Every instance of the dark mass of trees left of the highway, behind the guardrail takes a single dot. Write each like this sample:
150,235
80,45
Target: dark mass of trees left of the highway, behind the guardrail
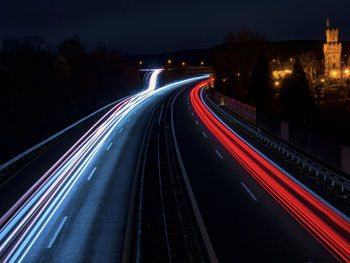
44,90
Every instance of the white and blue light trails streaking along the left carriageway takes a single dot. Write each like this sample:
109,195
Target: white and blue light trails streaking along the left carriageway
23,223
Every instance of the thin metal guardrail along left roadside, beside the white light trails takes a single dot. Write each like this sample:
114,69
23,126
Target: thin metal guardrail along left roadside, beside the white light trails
22,155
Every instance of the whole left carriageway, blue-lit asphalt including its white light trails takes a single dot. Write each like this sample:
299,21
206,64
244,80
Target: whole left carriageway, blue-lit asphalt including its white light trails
77,210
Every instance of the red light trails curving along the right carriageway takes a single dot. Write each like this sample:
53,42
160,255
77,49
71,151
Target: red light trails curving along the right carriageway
329,226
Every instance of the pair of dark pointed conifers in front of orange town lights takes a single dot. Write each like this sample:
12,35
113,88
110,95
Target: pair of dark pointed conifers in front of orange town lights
293,101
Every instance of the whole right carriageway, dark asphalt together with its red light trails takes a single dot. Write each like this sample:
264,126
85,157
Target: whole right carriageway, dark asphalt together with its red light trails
246,220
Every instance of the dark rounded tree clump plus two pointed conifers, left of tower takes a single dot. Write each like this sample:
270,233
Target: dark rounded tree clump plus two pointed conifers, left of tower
243,71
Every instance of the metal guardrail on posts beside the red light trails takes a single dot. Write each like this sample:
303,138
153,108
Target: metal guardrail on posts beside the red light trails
312,166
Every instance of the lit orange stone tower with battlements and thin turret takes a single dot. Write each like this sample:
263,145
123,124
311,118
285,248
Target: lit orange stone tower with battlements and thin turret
332,53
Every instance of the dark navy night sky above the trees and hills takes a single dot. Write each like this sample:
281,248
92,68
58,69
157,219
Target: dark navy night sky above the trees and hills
137,26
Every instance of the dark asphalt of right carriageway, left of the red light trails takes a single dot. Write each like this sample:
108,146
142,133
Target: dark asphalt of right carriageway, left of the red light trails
244,222
